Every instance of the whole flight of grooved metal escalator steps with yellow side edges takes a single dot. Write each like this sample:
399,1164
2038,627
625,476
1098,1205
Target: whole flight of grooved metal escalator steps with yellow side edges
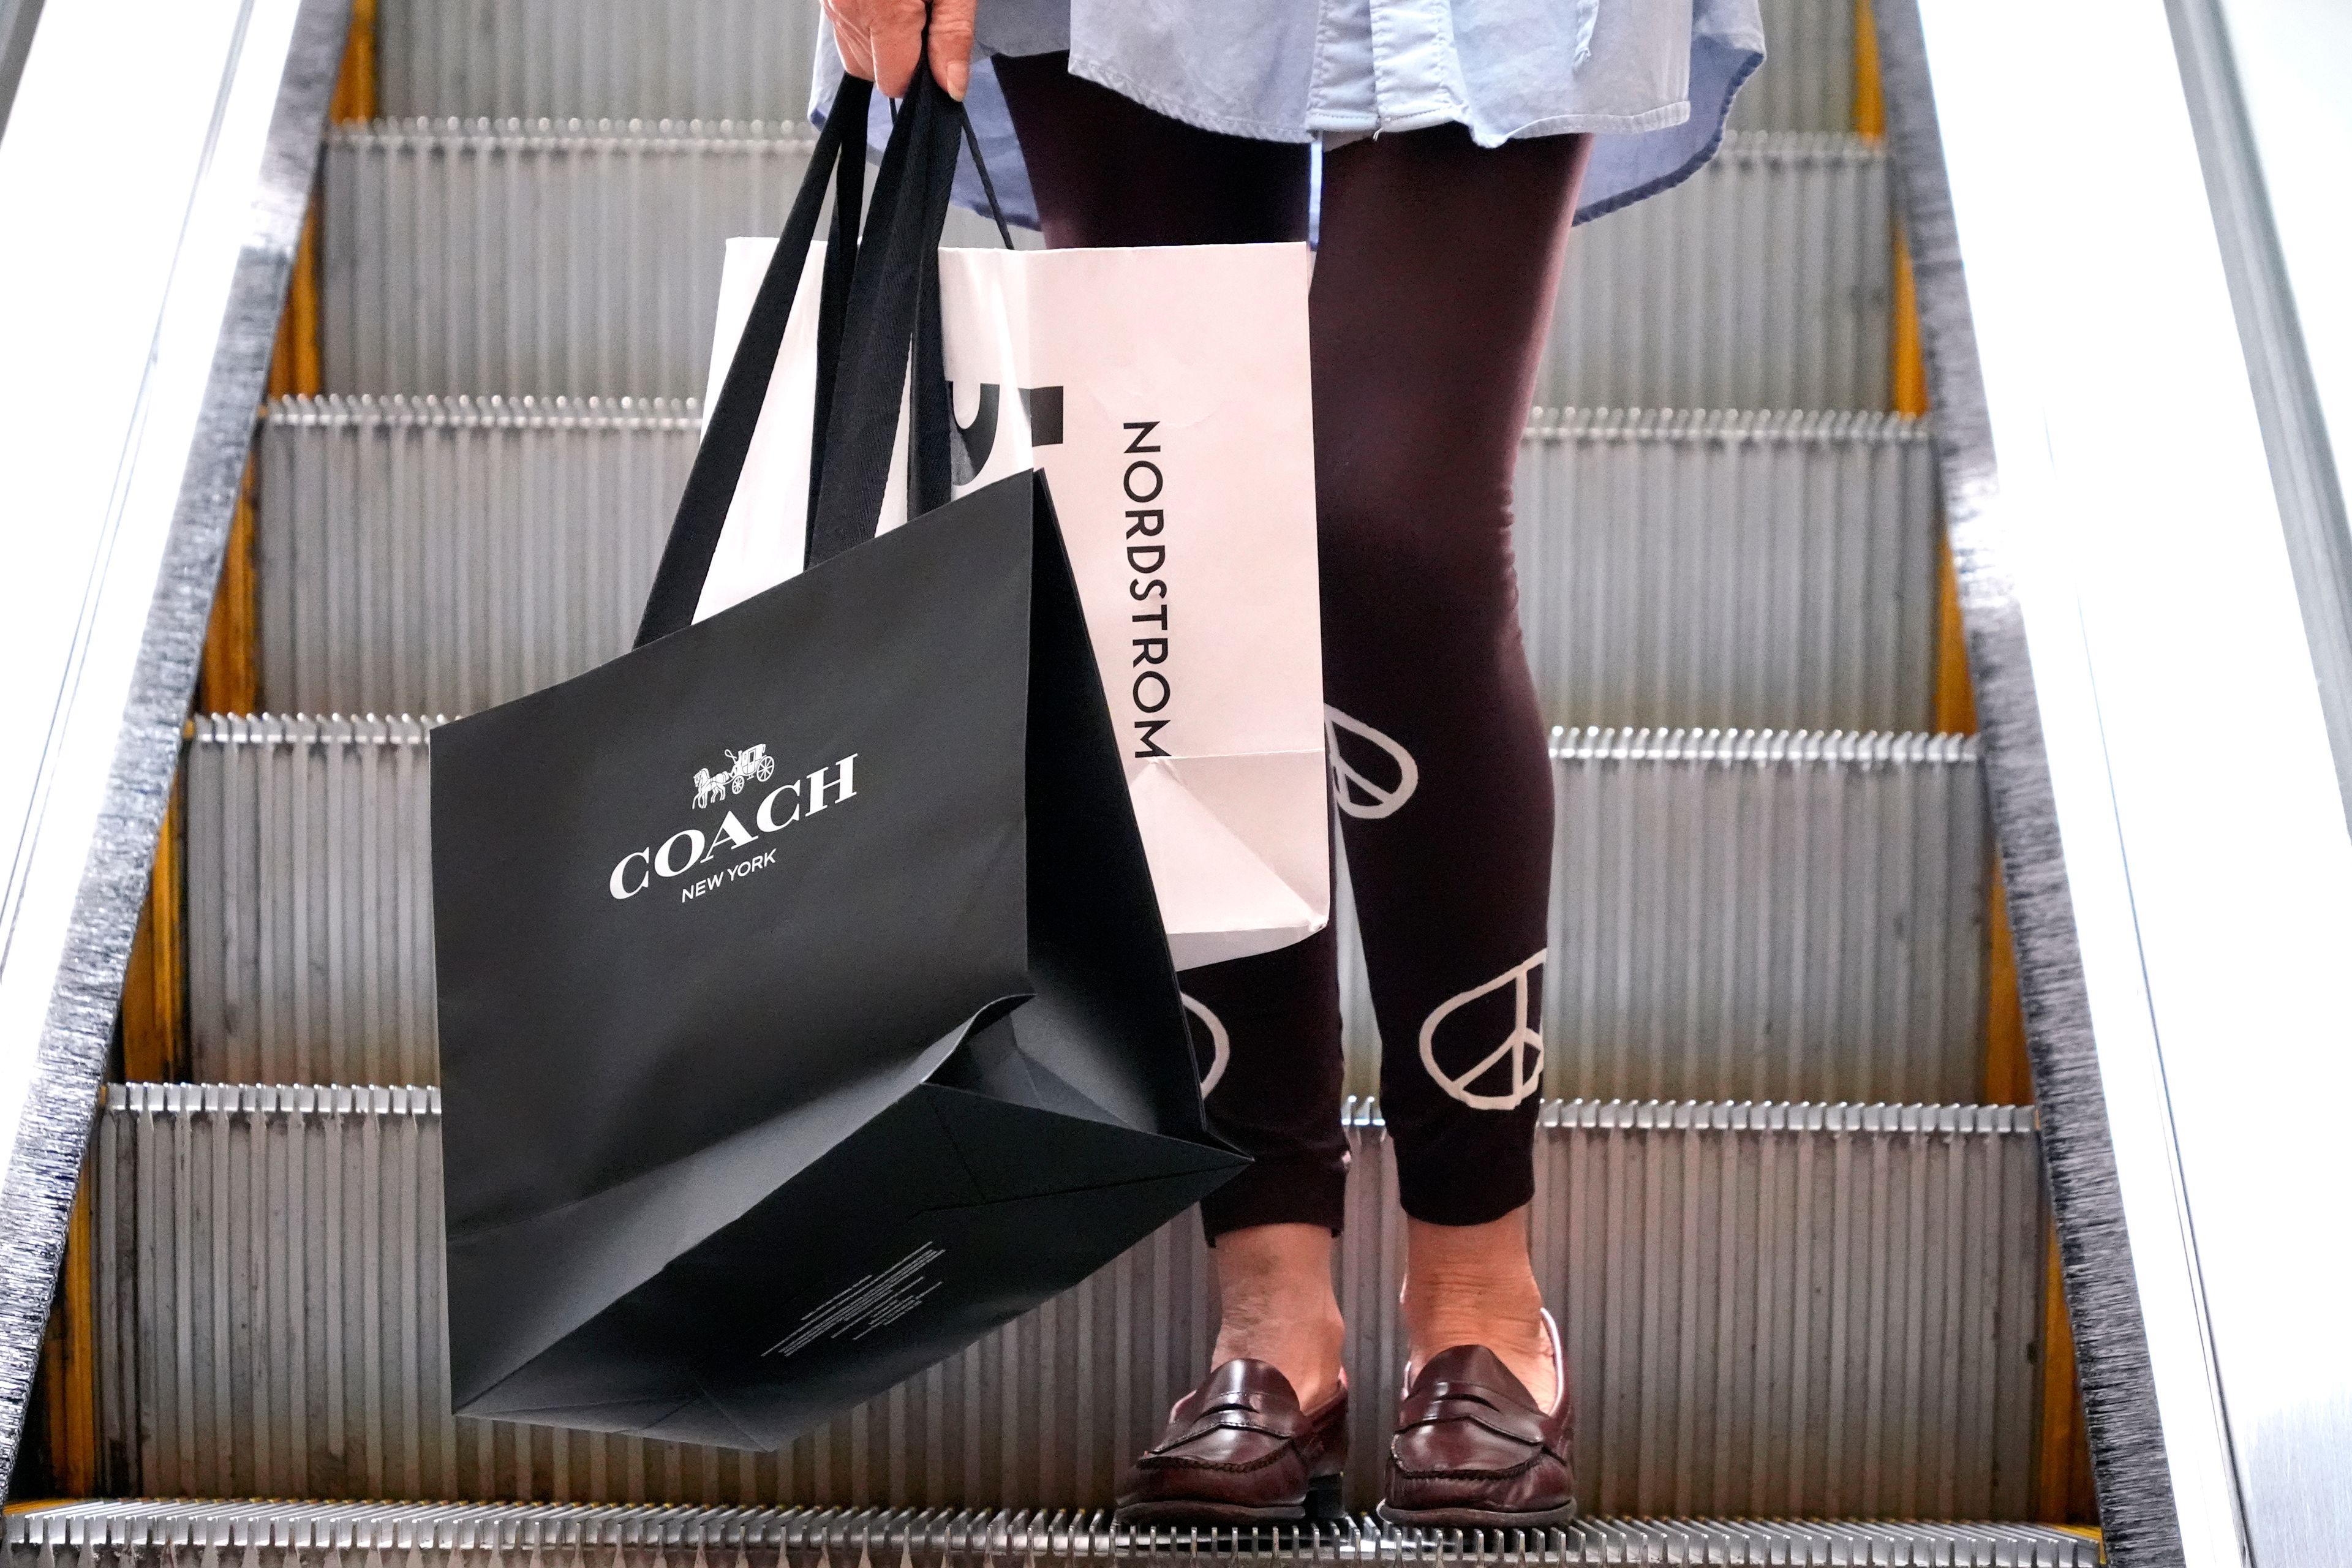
1803,1266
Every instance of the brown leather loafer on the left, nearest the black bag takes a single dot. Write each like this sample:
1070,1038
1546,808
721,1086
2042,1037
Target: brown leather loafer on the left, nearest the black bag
1241,1452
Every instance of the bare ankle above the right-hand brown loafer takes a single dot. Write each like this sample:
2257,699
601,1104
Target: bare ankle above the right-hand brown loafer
1474,1285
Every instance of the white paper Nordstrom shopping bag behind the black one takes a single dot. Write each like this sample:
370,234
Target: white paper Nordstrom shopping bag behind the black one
1165,396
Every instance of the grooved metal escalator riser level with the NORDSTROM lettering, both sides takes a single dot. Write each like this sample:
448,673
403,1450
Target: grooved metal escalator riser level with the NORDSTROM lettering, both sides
1749,570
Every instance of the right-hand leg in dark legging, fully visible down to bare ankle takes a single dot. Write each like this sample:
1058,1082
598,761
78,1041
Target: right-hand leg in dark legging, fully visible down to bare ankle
1431,302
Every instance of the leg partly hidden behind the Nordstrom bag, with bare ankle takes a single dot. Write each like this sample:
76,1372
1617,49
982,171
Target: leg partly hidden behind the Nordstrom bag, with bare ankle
1114,173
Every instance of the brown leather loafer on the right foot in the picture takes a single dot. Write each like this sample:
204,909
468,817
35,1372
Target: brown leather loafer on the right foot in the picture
1474,1449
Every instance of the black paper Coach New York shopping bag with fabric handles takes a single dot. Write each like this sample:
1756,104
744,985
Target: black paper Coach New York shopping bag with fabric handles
803,996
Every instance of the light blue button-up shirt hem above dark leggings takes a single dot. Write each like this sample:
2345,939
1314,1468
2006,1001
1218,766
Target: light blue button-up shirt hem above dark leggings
1652,79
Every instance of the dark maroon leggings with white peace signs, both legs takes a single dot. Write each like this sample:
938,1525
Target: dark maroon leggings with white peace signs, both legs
1434,286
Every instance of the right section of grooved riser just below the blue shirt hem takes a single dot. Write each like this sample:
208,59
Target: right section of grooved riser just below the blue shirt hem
1760,283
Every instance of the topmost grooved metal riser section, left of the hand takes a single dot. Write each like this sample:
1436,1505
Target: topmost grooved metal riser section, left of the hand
627,60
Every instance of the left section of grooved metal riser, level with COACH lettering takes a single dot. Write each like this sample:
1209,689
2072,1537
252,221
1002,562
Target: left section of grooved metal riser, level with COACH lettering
309,902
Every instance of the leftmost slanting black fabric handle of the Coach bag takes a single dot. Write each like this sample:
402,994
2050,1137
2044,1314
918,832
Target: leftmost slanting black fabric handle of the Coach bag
719,464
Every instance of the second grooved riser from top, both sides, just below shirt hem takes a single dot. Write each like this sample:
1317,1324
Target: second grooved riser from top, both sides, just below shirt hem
584,257
